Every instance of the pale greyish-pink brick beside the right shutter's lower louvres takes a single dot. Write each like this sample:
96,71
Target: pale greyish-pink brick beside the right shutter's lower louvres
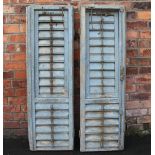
136,112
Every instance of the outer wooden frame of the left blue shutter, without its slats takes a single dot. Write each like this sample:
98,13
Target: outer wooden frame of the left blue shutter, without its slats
32,99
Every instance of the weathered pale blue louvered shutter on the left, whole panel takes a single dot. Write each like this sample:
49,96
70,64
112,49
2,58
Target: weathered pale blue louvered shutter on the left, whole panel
50,78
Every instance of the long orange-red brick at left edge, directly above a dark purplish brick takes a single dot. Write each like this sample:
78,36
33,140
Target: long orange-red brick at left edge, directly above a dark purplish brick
14,66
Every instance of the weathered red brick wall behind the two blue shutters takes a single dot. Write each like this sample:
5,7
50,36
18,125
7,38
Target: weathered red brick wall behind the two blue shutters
137,61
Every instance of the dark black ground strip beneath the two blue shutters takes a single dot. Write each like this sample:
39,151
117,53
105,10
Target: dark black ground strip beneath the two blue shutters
133,146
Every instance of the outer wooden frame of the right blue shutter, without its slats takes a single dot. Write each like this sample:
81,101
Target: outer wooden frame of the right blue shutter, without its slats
83,65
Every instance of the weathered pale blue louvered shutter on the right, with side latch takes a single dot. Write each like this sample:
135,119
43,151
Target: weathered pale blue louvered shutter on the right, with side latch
102,78
